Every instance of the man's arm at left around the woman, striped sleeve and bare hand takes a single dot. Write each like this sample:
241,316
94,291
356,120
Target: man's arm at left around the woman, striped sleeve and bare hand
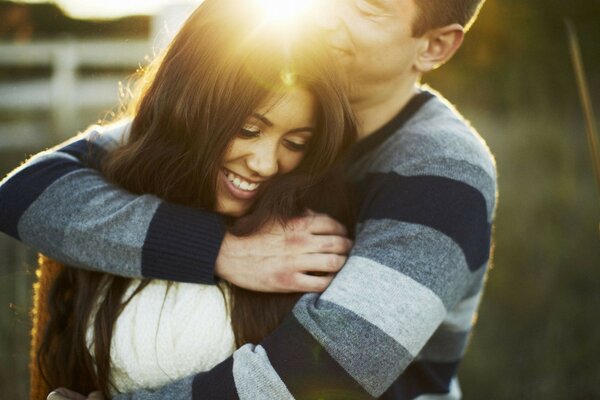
58,203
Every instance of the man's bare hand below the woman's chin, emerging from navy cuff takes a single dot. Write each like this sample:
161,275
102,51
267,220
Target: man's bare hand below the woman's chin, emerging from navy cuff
303,256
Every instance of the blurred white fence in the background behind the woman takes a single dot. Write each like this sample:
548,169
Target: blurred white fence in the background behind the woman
65,92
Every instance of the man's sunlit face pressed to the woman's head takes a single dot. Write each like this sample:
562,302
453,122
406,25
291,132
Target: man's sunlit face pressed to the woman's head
372,38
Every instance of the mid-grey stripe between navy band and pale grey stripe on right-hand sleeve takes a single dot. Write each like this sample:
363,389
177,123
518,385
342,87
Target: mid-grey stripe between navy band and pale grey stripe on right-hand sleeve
423,254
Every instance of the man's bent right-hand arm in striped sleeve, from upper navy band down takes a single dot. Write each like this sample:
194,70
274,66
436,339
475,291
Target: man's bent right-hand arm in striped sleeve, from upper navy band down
422,247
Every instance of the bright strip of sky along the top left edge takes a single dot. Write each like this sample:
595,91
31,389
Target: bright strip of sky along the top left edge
111,8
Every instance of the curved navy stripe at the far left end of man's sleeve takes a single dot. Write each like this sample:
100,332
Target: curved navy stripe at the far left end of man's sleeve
20,191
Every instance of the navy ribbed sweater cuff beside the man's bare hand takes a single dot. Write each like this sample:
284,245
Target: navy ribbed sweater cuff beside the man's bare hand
182,245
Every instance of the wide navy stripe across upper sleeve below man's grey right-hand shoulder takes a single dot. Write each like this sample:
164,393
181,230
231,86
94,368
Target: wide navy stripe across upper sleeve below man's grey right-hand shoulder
452,207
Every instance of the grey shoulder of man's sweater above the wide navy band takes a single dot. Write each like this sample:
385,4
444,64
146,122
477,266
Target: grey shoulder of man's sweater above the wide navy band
437,144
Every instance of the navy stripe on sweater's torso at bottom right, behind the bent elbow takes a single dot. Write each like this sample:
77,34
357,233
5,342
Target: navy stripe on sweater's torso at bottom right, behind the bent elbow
421,378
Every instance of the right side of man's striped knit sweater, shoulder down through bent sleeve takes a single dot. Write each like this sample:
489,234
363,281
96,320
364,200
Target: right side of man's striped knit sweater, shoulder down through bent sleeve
395,322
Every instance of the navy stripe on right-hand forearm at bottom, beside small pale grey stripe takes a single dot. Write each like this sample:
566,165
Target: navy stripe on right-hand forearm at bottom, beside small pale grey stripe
306,368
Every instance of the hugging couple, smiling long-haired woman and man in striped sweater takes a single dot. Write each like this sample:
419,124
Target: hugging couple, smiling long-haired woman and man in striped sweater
280,216
